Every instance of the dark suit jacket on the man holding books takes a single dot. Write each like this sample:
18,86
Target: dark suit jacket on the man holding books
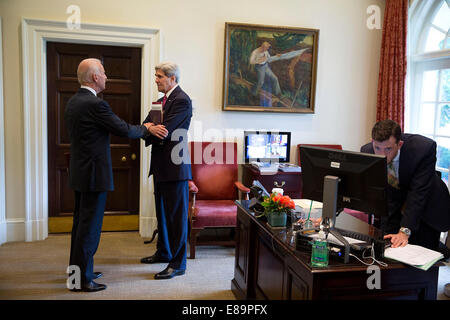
176,119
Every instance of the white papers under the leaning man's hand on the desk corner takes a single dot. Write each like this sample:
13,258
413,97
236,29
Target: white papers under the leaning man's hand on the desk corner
414,255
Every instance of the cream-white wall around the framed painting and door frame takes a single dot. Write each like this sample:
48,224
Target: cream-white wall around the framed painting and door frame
193,36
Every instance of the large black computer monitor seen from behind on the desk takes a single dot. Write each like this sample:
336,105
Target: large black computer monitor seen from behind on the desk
361,178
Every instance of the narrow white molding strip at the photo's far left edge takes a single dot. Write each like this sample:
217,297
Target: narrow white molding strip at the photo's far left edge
3,231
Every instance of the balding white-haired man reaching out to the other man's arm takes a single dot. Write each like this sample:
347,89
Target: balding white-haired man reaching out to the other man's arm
89,121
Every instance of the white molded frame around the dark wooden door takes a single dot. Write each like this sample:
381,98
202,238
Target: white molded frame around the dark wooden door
35,34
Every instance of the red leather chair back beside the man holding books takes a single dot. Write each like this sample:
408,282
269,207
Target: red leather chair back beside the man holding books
214,169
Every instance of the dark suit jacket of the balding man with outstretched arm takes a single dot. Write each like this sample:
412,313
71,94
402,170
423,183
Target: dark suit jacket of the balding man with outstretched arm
89,121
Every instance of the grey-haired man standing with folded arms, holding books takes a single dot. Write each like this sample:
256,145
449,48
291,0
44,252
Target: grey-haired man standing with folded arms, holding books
171,170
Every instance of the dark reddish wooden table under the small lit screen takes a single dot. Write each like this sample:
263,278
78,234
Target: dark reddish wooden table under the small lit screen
291,182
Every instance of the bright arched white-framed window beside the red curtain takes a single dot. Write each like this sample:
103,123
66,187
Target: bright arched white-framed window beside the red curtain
428,107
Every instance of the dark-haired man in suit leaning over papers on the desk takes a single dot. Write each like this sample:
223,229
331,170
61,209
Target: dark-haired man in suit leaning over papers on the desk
418,200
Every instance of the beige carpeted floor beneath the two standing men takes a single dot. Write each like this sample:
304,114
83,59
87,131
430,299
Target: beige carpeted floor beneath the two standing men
36,271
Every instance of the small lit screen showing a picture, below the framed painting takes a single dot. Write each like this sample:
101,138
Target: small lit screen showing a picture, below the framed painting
267,146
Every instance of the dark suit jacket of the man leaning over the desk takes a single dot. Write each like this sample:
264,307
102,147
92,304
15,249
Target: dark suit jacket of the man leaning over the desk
422,196
